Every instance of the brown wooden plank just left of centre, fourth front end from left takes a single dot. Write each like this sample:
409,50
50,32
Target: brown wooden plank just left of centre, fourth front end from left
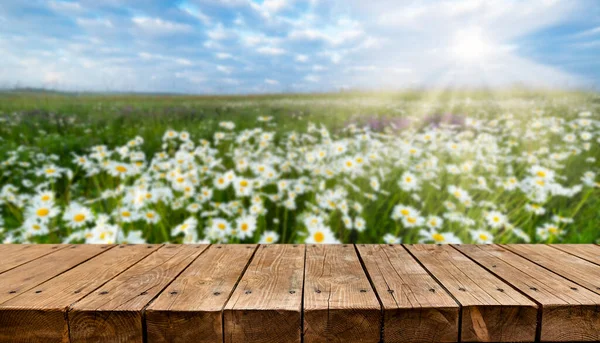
266,306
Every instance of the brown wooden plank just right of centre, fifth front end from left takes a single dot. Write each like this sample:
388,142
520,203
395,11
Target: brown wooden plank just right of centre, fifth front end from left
339,302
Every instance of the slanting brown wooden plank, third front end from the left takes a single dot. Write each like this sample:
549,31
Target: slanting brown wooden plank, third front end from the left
194,313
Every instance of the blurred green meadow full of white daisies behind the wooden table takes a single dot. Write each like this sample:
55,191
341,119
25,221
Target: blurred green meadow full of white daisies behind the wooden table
300,169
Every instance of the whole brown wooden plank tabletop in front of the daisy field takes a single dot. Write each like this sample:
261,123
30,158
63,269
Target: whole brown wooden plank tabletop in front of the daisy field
293,293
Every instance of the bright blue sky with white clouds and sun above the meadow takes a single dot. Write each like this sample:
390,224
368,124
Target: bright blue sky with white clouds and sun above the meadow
255,46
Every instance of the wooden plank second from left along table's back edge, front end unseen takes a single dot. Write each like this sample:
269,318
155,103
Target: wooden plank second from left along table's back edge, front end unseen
23,278
